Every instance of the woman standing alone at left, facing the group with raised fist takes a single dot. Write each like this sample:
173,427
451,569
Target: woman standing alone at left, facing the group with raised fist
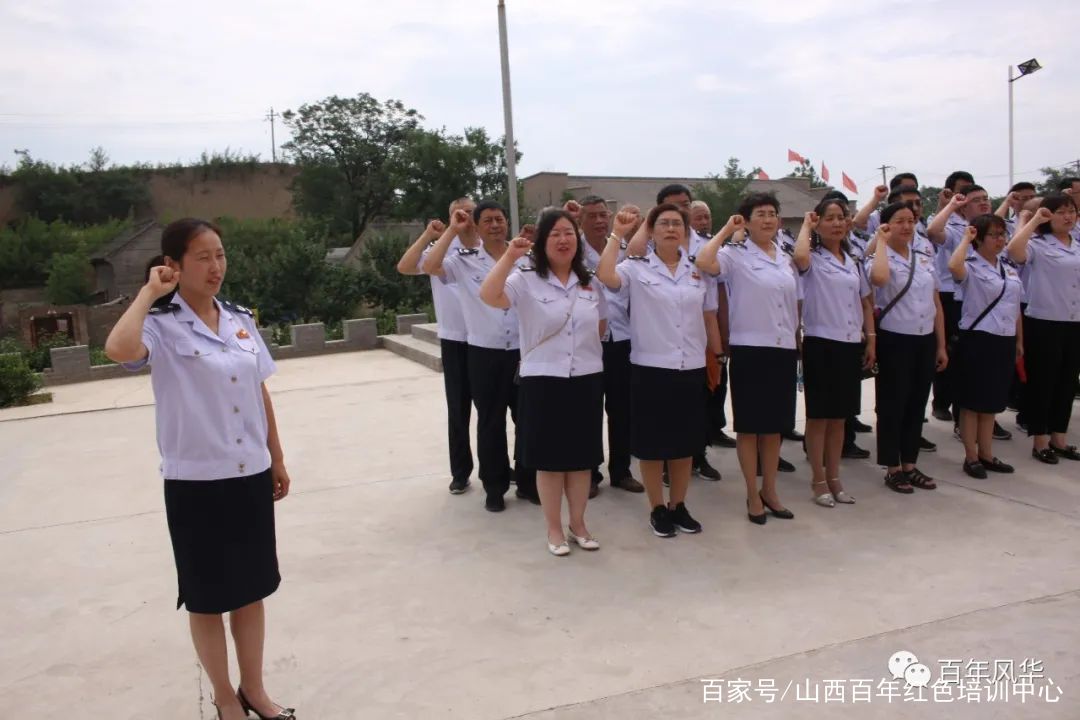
222,459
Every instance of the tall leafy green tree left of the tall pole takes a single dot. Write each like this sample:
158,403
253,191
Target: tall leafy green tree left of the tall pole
357,144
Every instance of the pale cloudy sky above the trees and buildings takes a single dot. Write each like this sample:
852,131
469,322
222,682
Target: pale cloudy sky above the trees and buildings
665,88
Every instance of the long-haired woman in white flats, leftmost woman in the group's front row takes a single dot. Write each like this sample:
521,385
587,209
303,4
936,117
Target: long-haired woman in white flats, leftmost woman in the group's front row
561,409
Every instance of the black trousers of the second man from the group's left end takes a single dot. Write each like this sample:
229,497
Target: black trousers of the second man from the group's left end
492,381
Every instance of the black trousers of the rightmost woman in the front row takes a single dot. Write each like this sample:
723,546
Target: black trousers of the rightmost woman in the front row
1052,360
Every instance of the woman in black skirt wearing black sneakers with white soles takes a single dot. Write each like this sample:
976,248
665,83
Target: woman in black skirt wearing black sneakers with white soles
668,307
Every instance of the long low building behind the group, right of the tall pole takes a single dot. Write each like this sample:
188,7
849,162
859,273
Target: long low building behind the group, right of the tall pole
543,189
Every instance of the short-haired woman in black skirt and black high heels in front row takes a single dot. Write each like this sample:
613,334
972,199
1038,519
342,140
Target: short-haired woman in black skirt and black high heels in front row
763,307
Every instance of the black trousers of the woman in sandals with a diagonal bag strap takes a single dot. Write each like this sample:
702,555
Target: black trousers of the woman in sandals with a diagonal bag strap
906,373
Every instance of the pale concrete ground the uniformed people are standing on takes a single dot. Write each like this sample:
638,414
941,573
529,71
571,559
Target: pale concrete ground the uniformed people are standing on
400,601
